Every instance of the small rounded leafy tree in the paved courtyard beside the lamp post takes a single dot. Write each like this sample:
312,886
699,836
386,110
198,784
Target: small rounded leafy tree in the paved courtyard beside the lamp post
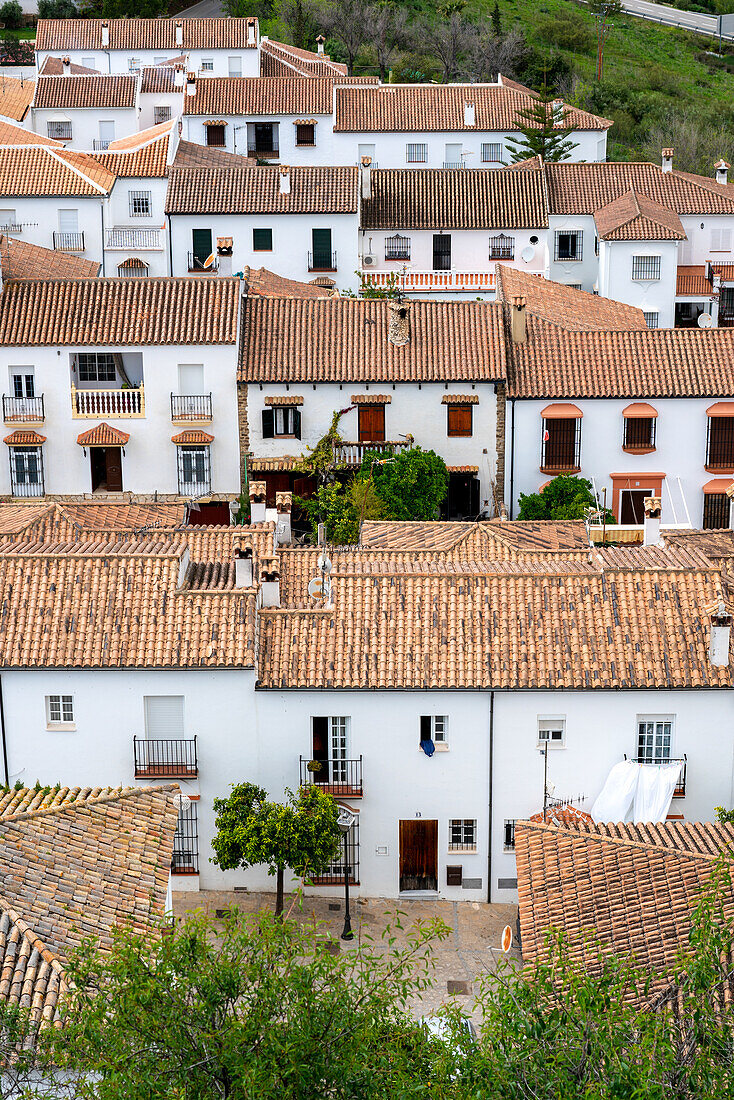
302,834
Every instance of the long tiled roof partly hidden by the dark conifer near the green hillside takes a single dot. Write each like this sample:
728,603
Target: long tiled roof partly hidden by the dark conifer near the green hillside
421,107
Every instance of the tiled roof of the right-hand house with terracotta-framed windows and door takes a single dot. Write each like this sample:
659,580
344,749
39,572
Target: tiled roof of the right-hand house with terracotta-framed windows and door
656,364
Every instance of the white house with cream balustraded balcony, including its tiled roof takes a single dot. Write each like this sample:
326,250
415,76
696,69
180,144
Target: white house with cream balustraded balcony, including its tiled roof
120,386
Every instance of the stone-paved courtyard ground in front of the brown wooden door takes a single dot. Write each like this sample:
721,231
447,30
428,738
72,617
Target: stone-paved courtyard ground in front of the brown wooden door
472,949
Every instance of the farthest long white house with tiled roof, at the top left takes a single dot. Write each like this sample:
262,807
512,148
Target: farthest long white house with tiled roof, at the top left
215,47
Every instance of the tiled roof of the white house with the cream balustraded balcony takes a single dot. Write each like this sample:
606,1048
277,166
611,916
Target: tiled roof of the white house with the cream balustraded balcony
120,312
